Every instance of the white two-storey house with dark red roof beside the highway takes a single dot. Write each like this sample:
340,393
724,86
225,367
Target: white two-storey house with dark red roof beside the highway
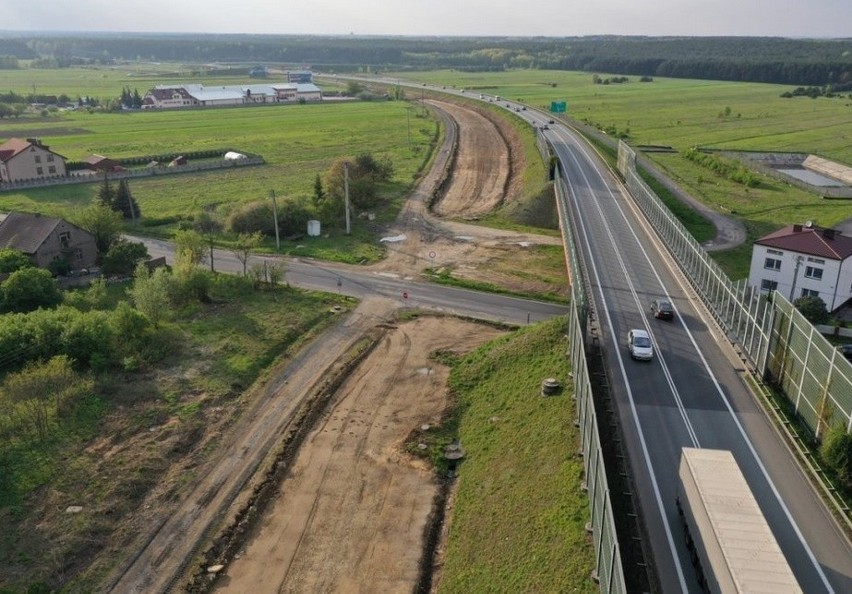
801,260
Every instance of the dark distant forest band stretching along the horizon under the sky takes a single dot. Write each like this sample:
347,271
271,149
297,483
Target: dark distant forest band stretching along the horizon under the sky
821,62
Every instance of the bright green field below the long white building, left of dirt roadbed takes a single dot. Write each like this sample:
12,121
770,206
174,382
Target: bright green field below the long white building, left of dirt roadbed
297,141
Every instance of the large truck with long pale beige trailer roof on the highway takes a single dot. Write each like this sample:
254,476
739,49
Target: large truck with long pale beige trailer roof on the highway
730,542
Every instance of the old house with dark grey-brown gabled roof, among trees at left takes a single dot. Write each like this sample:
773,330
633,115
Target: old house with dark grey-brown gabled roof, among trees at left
48,239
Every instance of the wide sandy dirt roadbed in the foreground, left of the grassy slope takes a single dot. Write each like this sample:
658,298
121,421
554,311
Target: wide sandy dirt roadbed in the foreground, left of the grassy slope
351,515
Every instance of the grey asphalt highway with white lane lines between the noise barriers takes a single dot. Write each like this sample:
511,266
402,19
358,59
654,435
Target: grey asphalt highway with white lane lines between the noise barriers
691,394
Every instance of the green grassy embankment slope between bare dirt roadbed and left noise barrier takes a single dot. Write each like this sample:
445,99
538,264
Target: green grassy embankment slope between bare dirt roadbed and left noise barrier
518,517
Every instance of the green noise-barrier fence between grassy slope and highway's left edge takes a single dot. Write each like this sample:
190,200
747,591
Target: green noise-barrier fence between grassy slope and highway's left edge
608,569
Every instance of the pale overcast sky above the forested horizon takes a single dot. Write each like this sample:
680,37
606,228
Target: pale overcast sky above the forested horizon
785,18
